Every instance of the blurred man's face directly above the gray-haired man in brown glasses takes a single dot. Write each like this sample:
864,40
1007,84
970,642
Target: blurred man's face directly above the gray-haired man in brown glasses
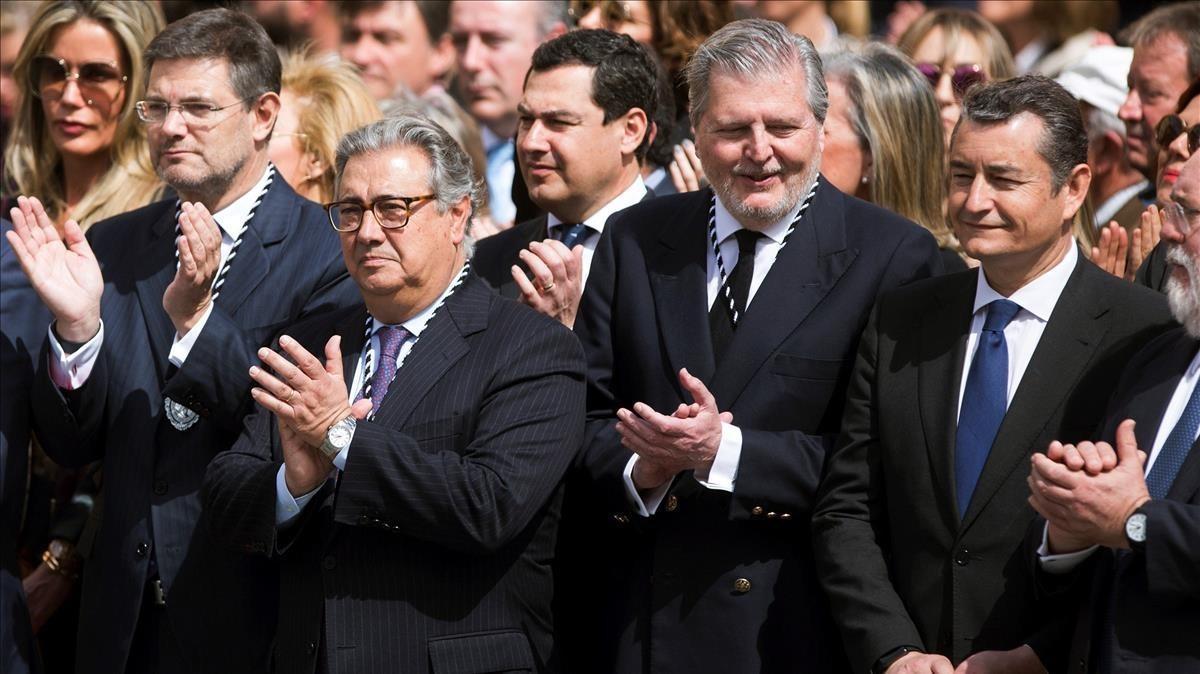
391,45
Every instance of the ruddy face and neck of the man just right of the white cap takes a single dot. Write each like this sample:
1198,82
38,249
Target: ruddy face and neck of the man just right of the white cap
1159,75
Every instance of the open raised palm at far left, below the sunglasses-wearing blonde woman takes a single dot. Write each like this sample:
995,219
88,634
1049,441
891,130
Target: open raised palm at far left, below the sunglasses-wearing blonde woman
62,269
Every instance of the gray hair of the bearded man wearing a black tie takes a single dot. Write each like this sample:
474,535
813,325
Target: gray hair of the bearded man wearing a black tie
754,49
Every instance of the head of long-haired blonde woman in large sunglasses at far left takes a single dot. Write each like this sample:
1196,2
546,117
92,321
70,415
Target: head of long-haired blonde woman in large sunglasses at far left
76,142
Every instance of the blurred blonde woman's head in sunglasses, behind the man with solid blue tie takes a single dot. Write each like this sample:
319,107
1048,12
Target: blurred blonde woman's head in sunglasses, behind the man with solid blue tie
956,50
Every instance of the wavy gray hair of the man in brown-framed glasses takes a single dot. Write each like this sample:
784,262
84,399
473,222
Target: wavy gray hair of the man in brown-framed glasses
452,173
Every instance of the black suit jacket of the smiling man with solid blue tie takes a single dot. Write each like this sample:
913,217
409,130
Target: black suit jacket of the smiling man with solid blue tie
899,565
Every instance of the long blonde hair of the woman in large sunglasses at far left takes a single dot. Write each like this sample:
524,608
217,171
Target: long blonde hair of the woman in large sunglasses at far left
33,163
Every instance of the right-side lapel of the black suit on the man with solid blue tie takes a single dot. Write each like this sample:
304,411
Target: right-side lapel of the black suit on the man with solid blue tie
1075,332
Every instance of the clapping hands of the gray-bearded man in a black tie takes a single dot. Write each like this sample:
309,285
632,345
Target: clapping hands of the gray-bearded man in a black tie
688,440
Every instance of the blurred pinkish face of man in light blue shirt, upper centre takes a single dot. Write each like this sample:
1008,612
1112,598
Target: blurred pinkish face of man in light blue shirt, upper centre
495,43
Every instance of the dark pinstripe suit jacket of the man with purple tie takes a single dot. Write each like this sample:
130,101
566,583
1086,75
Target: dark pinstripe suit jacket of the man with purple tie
433,551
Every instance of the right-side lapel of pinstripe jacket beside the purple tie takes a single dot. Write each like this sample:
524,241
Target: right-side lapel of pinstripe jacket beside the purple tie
440,347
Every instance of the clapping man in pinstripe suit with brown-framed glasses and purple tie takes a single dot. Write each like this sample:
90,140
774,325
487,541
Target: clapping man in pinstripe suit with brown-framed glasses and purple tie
407,477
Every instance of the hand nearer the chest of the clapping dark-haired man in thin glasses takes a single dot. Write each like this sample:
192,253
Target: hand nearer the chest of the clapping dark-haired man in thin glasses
200,258
